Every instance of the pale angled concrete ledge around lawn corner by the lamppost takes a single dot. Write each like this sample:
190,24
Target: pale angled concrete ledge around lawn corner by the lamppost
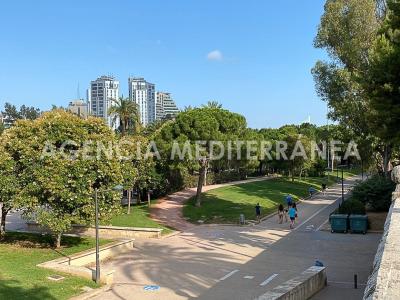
79,264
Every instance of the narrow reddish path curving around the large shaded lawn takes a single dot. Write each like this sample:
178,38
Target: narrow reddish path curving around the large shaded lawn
168,210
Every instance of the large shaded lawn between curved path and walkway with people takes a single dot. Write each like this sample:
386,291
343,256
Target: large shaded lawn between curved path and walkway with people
225,204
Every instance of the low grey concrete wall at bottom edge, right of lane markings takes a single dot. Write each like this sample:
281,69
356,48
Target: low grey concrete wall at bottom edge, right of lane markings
302,287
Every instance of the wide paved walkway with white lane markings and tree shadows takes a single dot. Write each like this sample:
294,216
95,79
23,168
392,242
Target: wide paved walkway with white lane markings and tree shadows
233,262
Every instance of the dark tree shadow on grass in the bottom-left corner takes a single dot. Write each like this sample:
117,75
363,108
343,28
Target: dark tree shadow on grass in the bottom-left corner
12,290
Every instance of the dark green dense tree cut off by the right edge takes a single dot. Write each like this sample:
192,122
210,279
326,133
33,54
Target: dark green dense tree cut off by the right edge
382,82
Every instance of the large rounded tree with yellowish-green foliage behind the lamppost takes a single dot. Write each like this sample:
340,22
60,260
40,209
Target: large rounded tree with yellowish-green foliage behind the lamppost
60,166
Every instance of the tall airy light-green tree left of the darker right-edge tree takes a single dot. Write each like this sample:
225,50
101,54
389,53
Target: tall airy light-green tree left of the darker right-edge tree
348,32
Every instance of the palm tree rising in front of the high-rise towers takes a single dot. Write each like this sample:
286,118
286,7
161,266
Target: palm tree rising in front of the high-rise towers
127,112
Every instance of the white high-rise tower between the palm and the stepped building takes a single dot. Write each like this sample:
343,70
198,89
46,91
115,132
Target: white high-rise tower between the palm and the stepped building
143,94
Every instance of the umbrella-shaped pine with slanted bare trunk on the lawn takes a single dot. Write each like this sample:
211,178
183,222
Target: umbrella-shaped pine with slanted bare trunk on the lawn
205,124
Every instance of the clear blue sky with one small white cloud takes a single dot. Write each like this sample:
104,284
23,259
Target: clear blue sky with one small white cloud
260,53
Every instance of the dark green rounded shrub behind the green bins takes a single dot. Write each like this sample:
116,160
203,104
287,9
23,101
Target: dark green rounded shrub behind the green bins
376,192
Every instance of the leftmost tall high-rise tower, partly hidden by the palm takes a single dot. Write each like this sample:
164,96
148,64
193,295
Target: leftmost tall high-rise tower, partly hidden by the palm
100,97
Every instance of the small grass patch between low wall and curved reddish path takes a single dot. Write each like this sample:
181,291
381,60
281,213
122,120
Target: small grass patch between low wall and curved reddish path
139,217
